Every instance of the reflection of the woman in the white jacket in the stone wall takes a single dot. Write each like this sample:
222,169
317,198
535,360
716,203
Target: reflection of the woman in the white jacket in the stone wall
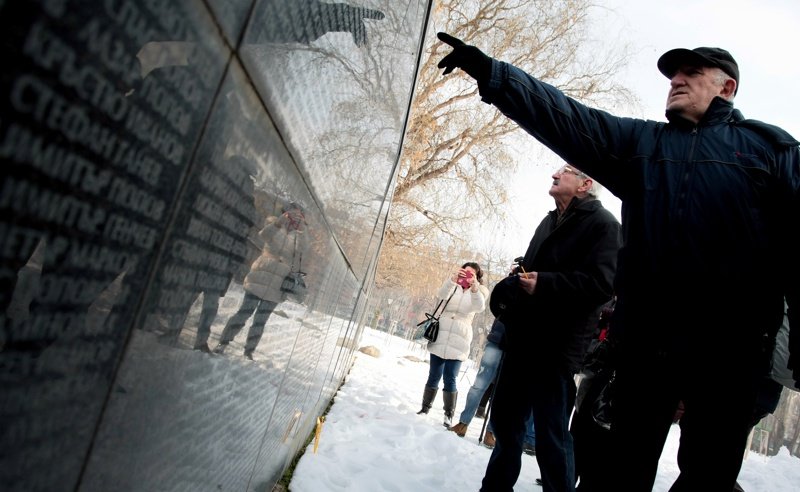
285,243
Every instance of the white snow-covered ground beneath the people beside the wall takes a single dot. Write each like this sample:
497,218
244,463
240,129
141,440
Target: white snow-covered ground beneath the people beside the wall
372,439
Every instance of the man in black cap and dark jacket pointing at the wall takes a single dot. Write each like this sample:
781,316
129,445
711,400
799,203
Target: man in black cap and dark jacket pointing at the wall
710,205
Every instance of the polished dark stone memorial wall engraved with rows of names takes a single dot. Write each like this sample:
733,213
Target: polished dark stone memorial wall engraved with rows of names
166,166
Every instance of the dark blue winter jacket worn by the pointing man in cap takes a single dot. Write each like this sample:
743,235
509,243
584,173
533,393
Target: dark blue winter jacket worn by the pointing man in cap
709,215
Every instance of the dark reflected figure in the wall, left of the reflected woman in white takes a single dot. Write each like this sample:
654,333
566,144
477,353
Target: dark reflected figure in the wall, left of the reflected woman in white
206,247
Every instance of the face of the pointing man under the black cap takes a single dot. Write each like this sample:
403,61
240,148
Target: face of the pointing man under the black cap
691,91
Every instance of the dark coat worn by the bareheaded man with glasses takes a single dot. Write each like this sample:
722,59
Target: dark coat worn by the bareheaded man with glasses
576,259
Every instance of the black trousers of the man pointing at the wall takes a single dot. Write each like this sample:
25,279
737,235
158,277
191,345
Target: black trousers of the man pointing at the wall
719,396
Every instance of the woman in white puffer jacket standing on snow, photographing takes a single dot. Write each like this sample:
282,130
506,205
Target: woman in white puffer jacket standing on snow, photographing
464,295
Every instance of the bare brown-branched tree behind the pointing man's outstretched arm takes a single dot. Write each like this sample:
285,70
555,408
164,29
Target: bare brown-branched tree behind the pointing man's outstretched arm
455,163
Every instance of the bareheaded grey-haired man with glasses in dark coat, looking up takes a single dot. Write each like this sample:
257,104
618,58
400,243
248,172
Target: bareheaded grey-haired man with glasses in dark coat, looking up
550,315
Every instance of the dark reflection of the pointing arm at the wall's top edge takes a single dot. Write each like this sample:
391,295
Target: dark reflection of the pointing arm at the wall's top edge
304,21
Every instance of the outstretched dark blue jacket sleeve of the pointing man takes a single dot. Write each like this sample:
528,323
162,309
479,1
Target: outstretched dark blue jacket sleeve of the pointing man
589,138
